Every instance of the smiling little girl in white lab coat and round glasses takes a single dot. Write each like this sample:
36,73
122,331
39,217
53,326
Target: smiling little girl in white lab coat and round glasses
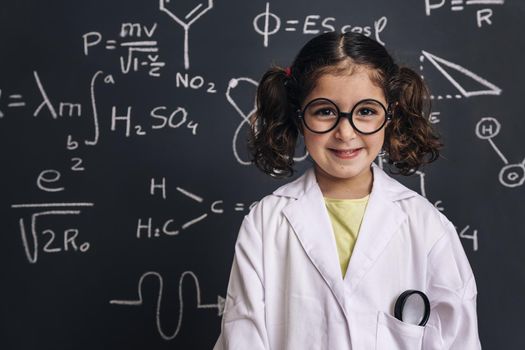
324,261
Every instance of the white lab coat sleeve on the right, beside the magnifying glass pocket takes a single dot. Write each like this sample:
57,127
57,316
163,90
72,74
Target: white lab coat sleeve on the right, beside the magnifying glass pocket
452,290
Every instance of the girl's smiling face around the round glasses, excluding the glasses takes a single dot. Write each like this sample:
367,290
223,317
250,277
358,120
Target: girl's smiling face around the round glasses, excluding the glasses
343,153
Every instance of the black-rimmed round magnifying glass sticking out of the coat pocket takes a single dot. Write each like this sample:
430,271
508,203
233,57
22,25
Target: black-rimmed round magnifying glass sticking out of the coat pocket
413,307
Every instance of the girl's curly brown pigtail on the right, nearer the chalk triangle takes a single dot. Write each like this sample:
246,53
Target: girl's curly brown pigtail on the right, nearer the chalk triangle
410,140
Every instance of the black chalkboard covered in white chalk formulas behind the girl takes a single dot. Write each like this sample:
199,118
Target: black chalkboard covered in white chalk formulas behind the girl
125,174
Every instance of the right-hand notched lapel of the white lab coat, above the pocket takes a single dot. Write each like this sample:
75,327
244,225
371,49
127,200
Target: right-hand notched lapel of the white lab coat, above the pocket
381,221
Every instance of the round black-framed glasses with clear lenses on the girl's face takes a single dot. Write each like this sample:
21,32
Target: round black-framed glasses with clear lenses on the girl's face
322,115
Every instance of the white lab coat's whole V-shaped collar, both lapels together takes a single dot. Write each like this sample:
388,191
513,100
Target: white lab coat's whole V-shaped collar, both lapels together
310,221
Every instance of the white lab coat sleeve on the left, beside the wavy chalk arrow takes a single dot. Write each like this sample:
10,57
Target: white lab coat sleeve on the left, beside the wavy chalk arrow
243,323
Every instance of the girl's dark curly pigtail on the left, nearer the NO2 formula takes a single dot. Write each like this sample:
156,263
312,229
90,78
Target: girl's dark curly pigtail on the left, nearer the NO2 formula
274,130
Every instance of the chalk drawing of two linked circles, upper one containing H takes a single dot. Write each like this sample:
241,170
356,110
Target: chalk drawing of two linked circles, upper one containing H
511,175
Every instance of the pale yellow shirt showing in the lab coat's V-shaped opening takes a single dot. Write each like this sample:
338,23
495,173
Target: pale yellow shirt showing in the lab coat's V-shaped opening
346,216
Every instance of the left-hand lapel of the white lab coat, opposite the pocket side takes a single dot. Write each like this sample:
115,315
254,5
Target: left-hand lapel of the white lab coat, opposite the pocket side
310,222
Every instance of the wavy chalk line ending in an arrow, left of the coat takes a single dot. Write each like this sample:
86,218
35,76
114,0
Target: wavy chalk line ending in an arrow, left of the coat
219,305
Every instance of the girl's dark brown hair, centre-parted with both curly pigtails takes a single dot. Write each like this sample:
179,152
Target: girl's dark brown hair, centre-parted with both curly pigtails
410,140
